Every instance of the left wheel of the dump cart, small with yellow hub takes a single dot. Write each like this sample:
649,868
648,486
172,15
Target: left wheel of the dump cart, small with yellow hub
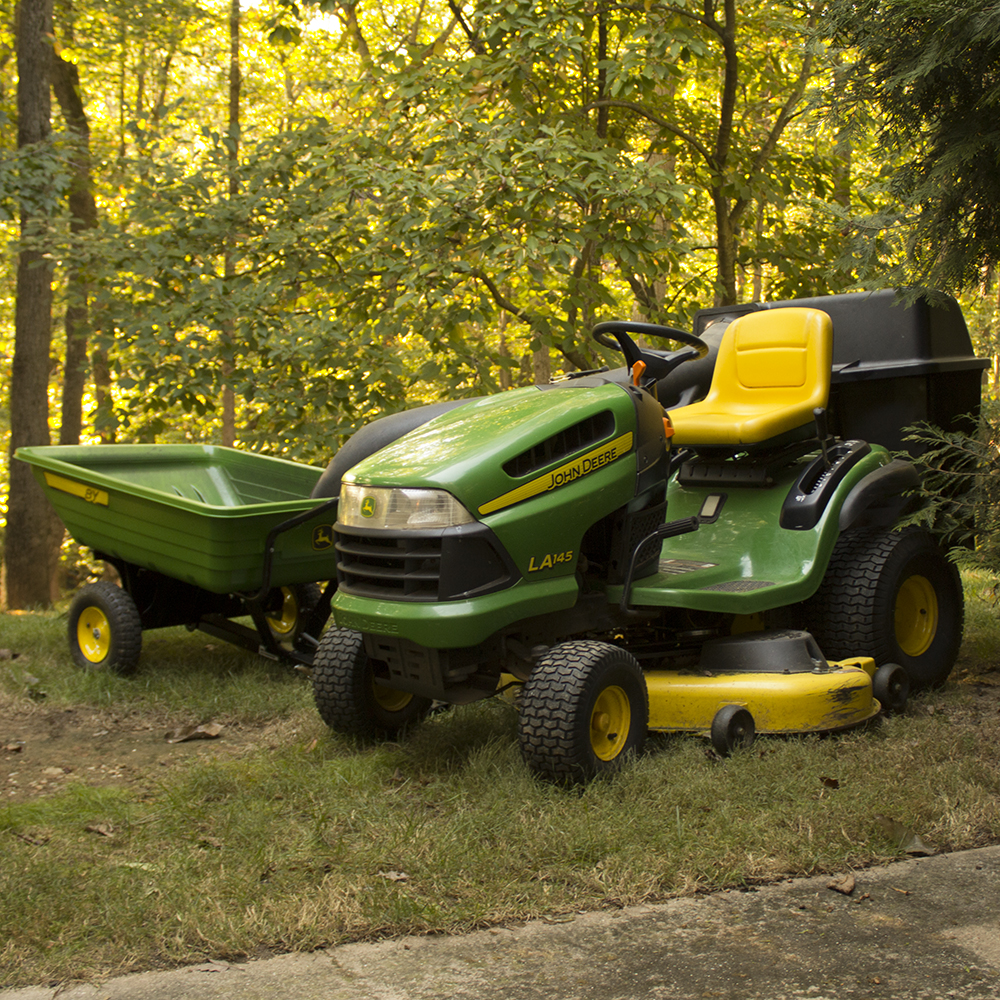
105,631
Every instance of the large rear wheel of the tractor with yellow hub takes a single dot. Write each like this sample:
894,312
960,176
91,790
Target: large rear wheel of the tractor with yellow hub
894,596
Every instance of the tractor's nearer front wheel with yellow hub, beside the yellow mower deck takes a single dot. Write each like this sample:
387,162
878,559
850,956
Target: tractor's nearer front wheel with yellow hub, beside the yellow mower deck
584,710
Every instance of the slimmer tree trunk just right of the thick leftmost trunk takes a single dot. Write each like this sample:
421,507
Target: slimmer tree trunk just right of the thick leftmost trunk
83,216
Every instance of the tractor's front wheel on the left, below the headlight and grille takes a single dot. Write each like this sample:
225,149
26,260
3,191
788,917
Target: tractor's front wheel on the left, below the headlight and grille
347,697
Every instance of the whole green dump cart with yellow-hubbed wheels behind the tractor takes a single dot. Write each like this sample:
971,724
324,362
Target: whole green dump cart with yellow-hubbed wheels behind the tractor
200,535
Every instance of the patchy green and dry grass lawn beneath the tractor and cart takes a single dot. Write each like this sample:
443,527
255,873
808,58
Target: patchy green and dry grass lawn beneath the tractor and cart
320,840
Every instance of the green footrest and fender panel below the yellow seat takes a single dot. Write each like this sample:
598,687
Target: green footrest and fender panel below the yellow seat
746,547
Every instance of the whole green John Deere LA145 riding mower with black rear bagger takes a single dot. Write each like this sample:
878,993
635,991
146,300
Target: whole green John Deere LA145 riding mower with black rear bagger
642,550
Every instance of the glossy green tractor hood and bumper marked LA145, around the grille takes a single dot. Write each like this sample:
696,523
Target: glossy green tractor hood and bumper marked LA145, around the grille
463,451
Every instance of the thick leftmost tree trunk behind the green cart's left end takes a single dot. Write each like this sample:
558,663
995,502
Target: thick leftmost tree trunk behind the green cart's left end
29,537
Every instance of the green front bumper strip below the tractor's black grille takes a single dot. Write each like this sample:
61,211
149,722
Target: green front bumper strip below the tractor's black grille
455,624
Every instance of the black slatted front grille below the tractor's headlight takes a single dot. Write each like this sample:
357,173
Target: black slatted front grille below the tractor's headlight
443,565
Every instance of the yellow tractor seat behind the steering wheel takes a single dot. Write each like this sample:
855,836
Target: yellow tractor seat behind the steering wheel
772,371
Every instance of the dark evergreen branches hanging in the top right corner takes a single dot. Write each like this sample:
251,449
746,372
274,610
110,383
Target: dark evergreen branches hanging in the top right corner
928,71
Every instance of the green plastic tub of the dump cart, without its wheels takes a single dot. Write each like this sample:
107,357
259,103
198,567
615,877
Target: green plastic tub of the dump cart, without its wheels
197,513
